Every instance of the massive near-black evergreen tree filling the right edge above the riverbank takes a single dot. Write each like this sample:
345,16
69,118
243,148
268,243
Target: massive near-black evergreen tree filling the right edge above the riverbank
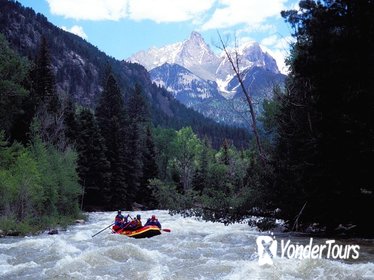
325,119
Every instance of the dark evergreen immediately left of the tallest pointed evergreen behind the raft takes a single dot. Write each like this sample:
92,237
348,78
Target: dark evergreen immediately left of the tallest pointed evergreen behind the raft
93,167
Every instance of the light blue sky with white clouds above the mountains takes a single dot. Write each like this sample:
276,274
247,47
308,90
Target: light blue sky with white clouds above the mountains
121,28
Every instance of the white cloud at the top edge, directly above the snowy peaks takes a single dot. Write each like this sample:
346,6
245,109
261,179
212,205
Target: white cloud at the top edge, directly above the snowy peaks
249,12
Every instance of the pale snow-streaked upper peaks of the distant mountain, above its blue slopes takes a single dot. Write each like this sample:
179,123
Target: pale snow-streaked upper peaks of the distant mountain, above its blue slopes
196,55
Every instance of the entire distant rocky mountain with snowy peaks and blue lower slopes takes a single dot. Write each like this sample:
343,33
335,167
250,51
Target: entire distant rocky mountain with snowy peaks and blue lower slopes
204,81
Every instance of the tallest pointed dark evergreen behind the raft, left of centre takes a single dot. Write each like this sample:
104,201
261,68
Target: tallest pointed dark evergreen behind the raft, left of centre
111,117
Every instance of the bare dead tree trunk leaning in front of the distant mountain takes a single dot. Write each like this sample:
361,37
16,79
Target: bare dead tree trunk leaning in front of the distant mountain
234,61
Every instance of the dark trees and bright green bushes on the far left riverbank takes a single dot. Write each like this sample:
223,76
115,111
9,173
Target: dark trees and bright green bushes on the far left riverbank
38,179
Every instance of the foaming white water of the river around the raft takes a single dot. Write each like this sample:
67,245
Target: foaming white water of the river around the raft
192,250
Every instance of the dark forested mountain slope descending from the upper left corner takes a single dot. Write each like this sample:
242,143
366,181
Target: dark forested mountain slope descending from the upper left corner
80,68
